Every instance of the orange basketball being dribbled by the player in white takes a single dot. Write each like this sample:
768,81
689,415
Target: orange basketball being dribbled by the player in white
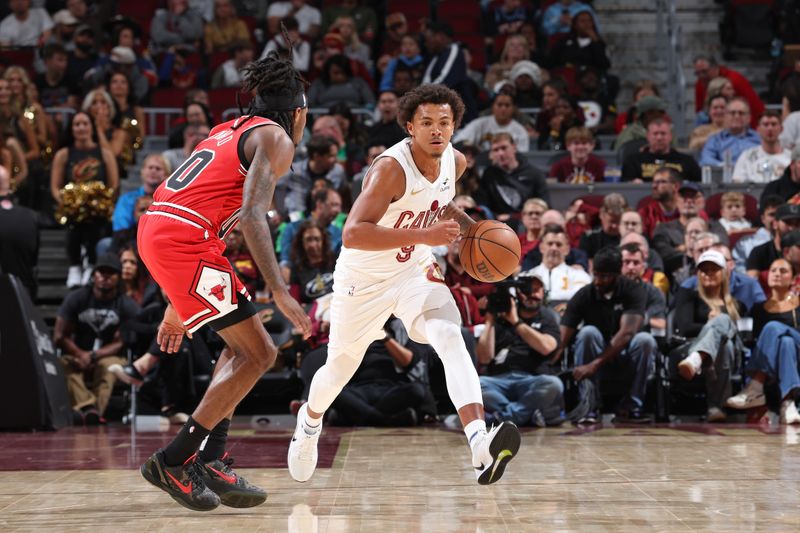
490,251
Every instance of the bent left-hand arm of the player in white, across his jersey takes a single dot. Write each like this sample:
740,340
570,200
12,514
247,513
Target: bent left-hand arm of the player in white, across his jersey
384,184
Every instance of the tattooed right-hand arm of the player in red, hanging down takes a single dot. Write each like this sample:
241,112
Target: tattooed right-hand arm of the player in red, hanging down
270,151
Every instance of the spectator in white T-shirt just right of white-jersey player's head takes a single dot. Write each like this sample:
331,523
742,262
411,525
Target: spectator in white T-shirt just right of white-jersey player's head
480,131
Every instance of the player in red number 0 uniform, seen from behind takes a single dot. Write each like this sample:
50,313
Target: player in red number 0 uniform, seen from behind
230,177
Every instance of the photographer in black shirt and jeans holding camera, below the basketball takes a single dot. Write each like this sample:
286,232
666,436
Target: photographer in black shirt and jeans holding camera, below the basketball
520,334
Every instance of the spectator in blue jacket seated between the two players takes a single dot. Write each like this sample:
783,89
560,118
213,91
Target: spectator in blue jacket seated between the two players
327,204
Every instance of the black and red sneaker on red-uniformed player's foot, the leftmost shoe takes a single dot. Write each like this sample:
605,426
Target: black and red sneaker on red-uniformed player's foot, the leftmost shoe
184,483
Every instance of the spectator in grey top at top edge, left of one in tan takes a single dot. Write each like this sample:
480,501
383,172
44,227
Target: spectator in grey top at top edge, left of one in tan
178,25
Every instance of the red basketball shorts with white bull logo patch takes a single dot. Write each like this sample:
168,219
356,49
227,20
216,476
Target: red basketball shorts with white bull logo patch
186,261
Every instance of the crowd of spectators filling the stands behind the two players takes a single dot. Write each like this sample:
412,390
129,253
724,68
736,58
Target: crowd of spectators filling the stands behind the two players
586,322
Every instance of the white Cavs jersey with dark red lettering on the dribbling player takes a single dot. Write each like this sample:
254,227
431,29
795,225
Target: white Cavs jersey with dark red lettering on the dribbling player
420,206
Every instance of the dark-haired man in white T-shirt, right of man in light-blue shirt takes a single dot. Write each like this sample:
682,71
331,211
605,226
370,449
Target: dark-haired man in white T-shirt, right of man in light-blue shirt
764,163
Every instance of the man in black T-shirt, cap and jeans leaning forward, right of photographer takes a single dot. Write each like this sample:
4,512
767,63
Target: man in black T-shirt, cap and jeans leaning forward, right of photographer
612,310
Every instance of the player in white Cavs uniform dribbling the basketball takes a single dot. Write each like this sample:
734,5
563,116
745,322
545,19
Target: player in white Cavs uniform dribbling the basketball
386,267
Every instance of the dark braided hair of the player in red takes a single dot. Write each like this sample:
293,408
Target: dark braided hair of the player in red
270,78
